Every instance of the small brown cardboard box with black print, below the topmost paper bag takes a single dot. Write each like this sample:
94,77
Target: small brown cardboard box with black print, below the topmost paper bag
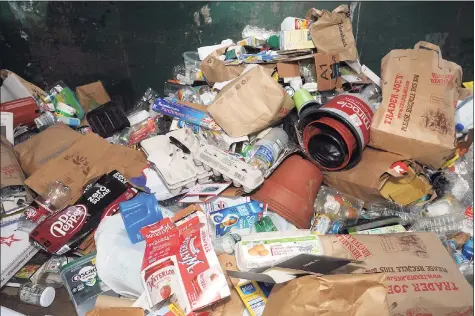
328,71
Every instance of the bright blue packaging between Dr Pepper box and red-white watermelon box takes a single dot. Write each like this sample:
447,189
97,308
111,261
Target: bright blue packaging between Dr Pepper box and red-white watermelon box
139,212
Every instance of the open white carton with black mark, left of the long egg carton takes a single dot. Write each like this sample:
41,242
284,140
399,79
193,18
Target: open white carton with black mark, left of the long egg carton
173,161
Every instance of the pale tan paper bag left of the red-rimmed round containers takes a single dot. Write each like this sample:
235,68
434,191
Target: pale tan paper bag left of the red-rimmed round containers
250,103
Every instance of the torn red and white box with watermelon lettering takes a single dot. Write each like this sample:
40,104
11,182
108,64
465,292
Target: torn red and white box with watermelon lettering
180,260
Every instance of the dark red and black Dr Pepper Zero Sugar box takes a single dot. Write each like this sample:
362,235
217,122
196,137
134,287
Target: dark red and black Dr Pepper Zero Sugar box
64,230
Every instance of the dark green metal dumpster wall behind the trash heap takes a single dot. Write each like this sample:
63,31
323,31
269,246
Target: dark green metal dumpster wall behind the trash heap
133,45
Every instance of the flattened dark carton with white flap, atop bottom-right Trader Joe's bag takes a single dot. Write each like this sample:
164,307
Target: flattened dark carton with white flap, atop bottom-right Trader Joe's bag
299,265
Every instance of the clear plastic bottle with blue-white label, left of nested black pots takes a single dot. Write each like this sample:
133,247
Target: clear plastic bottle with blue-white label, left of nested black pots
268,149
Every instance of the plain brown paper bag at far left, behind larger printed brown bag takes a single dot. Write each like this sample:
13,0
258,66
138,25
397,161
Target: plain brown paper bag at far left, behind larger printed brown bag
41,148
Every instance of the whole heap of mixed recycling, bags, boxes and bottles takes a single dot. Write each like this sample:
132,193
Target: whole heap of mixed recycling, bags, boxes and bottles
274,175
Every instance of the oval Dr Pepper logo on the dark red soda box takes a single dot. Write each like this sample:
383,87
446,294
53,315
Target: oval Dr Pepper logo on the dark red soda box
69,221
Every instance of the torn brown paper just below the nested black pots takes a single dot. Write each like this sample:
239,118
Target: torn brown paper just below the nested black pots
363,180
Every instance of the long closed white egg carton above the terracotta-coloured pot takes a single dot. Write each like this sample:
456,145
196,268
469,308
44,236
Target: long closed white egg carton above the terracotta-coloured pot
230,167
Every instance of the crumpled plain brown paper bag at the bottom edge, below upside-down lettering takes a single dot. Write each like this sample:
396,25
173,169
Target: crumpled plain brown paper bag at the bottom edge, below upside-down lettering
330,295
